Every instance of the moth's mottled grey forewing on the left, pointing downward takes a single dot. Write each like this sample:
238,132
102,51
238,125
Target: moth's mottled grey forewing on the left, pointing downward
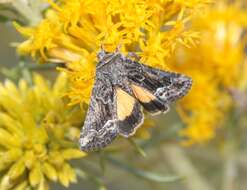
100,126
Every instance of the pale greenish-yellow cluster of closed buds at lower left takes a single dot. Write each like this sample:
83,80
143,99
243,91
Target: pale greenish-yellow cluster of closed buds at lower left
38,134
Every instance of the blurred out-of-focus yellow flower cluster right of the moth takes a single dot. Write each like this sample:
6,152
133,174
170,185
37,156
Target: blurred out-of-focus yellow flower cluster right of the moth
217,65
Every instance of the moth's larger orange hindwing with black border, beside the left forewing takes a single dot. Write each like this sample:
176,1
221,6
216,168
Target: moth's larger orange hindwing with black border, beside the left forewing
129,113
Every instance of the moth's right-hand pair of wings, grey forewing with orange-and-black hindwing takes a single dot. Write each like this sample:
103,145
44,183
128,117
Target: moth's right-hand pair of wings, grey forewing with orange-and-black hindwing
160,87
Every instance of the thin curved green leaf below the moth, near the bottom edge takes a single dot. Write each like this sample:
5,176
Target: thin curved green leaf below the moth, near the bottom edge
144,174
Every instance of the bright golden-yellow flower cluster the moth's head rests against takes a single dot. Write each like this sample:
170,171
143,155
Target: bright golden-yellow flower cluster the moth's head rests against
73,31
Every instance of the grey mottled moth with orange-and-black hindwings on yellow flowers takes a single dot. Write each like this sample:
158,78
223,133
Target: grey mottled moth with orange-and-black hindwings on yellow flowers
122,87
